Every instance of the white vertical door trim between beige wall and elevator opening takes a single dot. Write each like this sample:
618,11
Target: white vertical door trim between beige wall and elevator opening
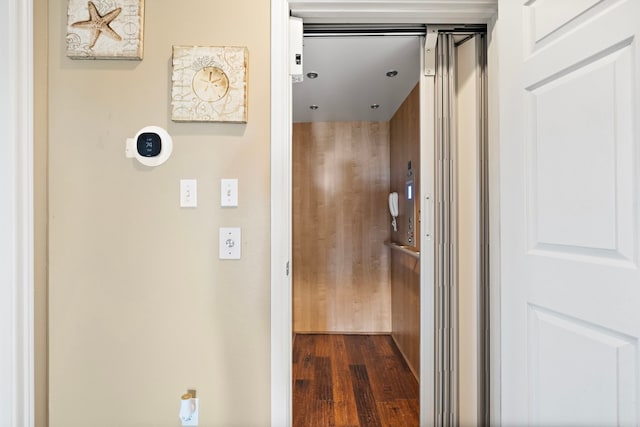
281,303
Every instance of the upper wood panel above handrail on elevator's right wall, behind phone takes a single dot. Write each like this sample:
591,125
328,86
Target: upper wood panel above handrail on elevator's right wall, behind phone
404,131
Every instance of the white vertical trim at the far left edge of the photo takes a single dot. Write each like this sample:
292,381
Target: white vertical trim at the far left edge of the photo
16,215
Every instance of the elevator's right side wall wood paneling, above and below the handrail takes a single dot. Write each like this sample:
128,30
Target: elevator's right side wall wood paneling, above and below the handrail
405,270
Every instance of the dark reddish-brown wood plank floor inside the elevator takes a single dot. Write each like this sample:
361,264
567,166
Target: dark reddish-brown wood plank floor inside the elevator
352,380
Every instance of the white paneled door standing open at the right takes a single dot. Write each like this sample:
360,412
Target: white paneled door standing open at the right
570,144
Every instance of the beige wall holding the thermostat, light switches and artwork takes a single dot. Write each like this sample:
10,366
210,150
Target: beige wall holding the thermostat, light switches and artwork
140,306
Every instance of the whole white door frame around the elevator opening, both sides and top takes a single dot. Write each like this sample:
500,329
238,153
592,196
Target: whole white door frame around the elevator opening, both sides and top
281,139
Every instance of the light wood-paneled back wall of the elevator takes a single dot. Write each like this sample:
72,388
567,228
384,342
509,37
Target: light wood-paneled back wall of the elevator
340,223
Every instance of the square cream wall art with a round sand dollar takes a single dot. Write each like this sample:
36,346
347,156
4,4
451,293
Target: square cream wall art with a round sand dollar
209,84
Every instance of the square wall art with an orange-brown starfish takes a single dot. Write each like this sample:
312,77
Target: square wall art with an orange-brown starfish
105,29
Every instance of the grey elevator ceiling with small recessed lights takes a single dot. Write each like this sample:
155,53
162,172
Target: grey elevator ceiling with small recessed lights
352,77
